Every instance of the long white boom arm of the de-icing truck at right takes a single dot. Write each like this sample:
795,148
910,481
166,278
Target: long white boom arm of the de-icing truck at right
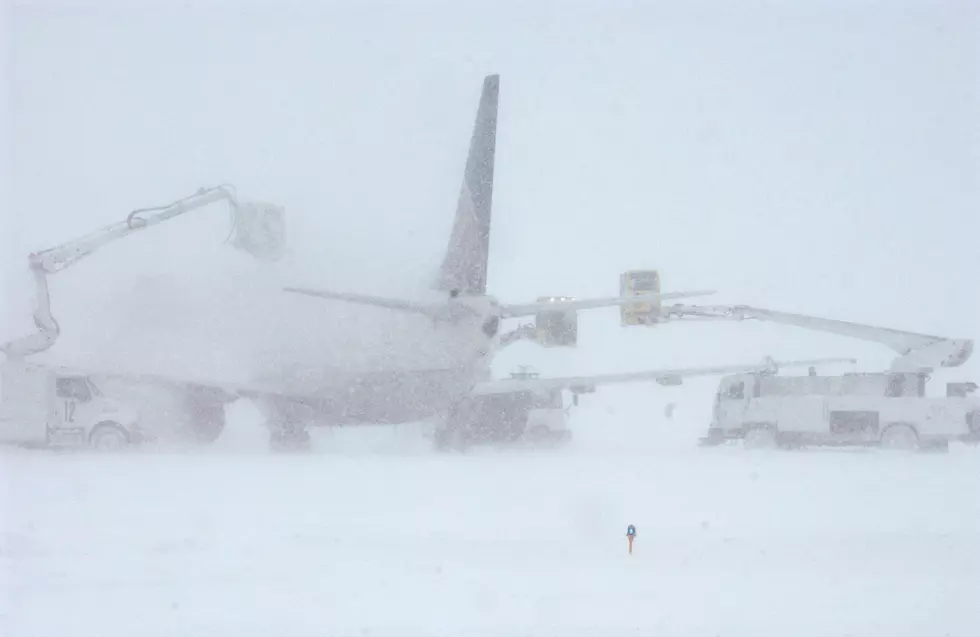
916,352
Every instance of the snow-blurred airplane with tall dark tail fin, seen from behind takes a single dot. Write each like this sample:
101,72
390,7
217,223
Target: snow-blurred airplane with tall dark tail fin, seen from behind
449,380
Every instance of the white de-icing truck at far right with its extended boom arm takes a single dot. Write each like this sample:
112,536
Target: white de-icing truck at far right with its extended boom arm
888,409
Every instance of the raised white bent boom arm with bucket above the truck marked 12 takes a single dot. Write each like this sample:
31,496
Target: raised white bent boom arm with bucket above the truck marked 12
257,229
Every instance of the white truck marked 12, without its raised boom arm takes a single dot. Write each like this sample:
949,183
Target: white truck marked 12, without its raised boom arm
43,406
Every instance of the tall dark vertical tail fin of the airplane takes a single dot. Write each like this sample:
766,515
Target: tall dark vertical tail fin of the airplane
464,266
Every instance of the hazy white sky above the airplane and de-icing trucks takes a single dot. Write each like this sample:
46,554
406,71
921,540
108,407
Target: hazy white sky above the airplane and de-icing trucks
819,157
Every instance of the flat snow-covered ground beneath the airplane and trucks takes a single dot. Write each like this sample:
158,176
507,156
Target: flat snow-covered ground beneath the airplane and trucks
386,538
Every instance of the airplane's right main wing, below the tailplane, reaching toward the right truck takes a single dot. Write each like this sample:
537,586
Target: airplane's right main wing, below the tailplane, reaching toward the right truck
666,377
